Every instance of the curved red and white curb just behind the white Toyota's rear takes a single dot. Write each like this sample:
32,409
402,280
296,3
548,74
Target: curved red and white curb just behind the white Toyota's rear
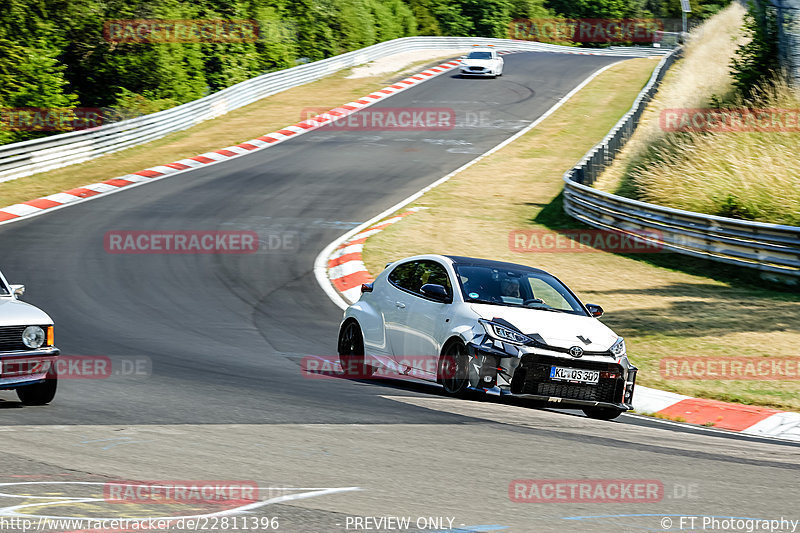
346,269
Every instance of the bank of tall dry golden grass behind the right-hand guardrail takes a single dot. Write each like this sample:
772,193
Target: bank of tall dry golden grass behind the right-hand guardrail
754,176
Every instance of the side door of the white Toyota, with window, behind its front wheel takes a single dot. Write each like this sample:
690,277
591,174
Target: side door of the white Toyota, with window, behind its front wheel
426,319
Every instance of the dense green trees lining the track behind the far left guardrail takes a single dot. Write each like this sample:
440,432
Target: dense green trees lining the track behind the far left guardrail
54,54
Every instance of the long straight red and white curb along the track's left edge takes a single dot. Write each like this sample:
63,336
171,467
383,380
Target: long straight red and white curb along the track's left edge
41,205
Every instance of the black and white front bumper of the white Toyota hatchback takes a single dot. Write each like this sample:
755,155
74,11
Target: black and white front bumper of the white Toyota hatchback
529,378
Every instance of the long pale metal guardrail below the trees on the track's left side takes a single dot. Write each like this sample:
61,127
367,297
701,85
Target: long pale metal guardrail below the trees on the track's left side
39,155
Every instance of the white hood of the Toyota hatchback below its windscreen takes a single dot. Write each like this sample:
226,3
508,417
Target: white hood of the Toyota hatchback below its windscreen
557,329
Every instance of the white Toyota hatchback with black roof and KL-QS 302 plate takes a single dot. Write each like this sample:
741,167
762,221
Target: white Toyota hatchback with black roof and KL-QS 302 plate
491,327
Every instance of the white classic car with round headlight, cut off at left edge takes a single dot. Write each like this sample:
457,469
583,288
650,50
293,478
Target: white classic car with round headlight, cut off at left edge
27,353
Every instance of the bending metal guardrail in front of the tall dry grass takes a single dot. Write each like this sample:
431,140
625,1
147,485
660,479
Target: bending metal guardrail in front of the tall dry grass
770,248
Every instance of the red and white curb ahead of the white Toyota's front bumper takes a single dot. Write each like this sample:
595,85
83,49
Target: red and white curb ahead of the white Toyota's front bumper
749,419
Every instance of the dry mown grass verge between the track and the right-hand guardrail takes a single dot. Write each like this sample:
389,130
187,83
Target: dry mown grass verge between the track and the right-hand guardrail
663,304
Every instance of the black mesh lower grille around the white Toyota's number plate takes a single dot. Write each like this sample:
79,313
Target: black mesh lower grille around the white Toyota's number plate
533,377
